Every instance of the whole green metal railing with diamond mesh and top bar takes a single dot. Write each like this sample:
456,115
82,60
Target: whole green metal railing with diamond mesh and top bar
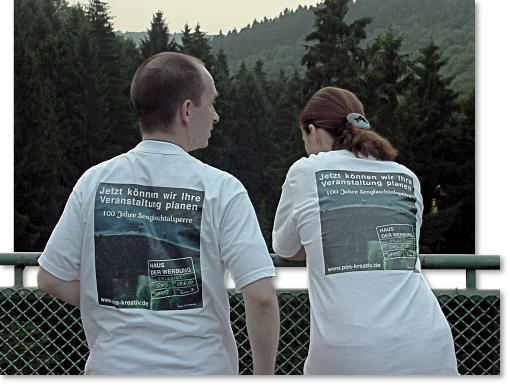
39,334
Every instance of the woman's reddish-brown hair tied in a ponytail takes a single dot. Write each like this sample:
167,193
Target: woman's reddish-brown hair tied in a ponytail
328,109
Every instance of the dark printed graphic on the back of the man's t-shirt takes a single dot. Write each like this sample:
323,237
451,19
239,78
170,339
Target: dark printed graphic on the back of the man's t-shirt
147,245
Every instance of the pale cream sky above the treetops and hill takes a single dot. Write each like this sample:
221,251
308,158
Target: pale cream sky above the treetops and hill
213,15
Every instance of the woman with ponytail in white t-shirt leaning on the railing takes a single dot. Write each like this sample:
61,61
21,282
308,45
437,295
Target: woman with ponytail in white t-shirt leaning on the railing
355,215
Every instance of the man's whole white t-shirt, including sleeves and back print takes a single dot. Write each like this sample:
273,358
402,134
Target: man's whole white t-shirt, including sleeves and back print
149,234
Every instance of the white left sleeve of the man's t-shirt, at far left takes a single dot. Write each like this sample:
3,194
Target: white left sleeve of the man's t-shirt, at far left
62,254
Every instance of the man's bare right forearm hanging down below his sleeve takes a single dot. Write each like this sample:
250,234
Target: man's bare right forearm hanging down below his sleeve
263,323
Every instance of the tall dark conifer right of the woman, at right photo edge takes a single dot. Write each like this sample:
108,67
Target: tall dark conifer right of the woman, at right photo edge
435,137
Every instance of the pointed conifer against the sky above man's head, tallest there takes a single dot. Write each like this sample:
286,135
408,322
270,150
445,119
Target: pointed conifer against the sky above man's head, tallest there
158,37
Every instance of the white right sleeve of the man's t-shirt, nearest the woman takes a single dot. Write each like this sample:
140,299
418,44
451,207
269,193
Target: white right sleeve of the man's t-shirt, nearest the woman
242,247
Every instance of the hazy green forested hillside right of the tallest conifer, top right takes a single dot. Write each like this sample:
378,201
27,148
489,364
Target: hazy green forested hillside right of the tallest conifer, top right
449,23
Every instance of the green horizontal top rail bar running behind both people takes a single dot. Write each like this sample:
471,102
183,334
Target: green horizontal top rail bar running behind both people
428,261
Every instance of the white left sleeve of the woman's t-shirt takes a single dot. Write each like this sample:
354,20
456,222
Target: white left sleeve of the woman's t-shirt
286,240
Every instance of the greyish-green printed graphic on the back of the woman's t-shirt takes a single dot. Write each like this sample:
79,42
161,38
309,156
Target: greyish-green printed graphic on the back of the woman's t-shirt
368,220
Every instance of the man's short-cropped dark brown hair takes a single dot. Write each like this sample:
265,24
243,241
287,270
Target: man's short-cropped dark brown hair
161,84
